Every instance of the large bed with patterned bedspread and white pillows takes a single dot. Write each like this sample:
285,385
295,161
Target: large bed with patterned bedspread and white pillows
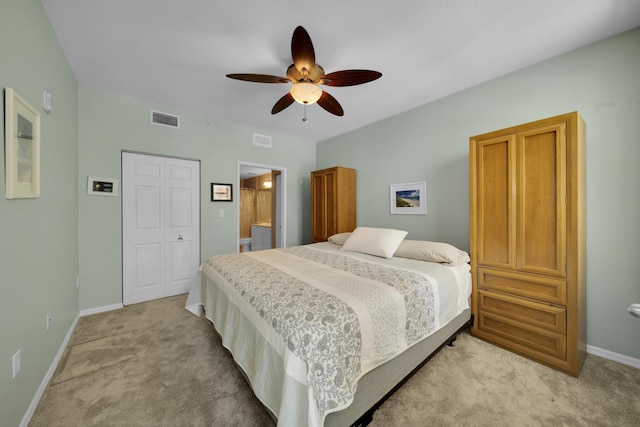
325,332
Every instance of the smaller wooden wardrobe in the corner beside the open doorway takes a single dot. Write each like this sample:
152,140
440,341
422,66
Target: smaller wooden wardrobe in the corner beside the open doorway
333,202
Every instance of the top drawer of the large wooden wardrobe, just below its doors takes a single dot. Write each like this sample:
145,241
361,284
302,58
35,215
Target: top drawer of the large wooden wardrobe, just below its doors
526,285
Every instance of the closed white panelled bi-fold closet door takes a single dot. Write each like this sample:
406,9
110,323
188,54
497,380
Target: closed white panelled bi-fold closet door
160,226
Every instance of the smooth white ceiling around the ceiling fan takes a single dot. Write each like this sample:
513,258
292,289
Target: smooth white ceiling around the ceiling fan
177,53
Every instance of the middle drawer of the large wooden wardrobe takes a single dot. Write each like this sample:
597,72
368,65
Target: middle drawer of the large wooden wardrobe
529,312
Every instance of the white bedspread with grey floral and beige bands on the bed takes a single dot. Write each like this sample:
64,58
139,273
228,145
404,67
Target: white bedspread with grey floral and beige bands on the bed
330,316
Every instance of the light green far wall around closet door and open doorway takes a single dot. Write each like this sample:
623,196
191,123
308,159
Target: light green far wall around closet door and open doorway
110,123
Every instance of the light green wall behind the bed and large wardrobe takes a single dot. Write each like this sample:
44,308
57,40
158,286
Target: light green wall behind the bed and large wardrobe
602,82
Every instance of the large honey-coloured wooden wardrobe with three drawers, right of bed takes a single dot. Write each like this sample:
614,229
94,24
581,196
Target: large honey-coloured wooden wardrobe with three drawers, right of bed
527,240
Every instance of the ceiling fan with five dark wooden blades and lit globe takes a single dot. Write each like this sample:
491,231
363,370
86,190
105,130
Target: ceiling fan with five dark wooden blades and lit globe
306,77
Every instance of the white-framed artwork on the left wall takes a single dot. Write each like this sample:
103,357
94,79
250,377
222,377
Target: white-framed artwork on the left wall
22,148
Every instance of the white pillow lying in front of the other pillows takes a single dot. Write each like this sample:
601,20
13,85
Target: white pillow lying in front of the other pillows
381,242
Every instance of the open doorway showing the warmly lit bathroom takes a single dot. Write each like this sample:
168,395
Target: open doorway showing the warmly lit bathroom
261,206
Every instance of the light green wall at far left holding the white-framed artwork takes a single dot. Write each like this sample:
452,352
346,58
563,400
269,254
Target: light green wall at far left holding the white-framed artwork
39,249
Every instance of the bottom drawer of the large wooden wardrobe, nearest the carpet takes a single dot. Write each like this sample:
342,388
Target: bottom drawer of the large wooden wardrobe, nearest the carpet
521,337
